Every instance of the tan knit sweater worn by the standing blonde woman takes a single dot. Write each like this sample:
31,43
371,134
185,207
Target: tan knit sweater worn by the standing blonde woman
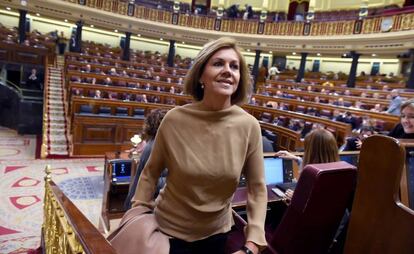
205,153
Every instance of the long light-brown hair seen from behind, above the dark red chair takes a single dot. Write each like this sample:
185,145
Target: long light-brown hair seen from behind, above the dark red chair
320,147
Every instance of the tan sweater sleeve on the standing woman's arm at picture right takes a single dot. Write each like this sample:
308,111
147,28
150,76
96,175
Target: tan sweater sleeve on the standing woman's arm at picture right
256,190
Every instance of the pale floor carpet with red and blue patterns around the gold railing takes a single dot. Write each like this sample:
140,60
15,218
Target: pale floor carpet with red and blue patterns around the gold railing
22,187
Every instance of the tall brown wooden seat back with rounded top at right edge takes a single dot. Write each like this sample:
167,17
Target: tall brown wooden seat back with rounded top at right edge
379,222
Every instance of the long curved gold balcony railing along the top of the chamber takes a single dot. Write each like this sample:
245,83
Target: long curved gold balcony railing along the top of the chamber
403,21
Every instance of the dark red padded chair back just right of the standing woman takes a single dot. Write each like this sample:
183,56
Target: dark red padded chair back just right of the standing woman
316,209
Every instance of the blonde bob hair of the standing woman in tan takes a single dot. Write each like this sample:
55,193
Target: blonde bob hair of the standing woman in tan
192,84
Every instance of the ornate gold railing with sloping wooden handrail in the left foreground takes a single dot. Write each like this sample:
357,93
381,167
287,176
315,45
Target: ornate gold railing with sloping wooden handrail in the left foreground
65,229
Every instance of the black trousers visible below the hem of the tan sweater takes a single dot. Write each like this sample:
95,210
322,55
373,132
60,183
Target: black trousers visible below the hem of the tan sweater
214,244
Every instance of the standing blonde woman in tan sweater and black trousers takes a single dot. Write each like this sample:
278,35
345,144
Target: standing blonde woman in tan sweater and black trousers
206,146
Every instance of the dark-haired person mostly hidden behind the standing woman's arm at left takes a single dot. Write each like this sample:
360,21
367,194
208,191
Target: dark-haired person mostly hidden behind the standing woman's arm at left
150,128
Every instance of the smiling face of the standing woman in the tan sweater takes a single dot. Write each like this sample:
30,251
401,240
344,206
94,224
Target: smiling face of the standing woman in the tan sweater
221,75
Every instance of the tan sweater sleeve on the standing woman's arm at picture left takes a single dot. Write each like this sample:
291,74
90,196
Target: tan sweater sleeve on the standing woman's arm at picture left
148,180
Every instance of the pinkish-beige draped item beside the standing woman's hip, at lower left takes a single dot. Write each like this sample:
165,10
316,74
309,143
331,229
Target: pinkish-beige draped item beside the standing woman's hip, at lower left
138,233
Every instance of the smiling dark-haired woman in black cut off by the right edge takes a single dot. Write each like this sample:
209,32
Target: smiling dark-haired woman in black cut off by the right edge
405,129
